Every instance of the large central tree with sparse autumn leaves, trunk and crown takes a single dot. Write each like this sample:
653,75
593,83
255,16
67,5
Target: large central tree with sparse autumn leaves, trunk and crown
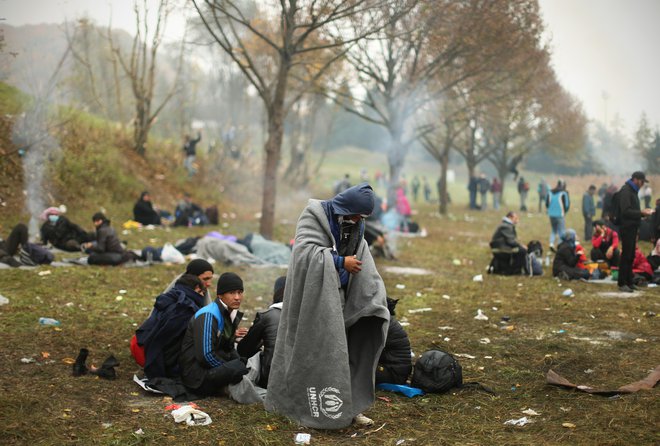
270,41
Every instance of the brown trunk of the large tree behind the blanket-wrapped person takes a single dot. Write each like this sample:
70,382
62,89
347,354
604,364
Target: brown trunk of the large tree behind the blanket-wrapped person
273,150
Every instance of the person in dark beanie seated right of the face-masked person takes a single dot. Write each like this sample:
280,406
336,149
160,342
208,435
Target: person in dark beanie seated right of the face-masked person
106,249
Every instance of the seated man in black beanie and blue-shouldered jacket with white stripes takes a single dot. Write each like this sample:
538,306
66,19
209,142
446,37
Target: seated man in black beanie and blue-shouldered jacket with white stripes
209,361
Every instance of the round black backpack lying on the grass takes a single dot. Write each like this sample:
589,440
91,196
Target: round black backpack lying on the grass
437,372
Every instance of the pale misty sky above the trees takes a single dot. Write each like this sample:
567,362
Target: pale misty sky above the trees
598,46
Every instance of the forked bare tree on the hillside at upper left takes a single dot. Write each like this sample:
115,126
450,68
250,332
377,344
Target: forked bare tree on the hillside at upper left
140,67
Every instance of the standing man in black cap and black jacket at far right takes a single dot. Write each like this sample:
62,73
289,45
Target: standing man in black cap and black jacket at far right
630,217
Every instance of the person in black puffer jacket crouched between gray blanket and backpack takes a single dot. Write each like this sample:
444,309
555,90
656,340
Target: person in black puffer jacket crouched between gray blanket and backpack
395,362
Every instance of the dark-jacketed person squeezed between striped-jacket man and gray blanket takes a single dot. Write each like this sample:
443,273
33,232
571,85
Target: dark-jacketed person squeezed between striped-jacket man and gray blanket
263,333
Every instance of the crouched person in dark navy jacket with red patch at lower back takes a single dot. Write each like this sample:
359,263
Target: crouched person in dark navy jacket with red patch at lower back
160,336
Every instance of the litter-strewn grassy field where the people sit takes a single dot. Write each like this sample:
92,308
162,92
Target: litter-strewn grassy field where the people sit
588,338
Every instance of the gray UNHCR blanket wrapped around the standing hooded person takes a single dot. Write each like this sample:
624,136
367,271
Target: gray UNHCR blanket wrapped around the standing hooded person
328,344
